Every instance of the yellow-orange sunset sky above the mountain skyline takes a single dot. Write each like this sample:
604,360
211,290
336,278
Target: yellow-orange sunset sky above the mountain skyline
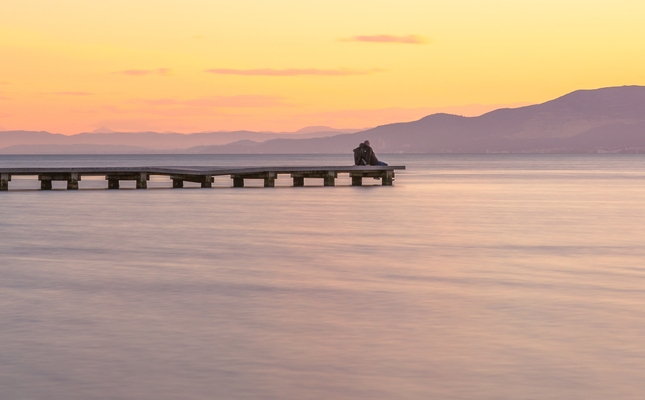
71,66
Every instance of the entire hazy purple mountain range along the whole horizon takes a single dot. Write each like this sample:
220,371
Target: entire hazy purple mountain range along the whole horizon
601,120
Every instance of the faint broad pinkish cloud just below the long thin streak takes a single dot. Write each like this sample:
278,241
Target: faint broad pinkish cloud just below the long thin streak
240,101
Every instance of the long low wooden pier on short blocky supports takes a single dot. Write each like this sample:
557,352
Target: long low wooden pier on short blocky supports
202,175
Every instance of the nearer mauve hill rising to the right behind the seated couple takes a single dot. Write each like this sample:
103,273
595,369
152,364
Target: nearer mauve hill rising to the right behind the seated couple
608,119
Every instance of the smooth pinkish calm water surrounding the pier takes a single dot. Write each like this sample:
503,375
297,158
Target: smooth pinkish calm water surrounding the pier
473,277
